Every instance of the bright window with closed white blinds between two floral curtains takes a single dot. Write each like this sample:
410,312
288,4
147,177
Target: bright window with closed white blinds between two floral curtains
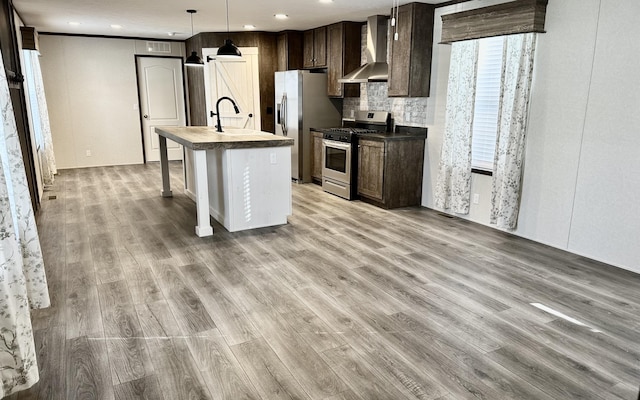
485,119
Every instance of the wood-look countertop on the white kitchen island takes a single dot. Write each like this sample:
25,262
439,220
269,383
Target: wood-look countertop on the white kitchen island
206,137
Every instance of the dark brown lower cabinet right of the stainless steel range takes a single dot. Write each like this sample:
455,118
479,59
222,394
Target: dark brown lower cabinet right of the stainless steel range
390,171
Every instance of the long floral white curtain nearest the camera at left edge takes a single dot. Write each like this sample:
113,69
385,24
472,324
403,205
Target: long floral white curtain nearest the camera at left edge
22,278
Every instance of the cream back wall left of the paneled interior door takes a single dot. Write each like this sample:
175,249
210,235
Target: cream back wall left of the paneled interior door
92,95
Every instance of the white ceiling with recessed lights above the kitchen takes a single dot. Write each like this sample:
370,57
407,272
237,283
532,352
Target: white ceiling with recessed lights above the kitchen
156,18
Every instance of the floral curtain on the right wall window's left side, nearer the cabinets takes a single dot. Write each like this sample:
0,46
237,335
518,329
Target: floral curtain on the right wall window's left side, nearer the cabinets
453,186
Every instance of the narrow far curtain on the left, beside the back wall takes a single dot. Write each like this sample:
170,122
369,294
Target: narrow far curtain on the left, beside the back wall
48,160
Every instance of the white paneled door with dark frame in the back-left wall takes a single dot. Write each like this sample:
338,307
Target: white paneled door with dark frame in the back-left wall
161,90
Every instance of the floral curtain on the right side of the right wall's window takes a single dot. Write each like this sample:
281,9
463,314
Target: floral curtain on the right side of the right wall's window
512,124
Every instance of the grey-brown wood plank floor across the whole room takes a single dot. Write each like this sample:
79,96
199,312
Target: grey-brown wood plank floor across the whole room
347,301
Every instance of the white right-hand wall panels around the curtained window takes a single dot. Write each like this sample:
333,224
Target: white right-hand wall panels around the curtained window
581,183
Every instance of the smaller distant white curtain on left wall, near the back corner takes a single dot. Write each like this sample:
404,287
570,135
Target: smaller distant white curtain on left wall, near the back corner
40,116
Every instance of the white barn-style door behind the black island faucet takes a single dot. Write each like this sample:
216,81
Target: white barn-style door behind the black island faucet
235,77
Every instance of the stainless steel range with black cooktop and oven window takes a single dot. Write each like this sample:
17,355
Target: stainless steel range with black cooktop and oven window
340,152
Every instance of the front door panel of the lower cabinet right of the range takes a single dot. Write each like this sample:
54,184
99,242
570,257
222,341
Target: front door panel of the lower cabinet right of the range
371,169
